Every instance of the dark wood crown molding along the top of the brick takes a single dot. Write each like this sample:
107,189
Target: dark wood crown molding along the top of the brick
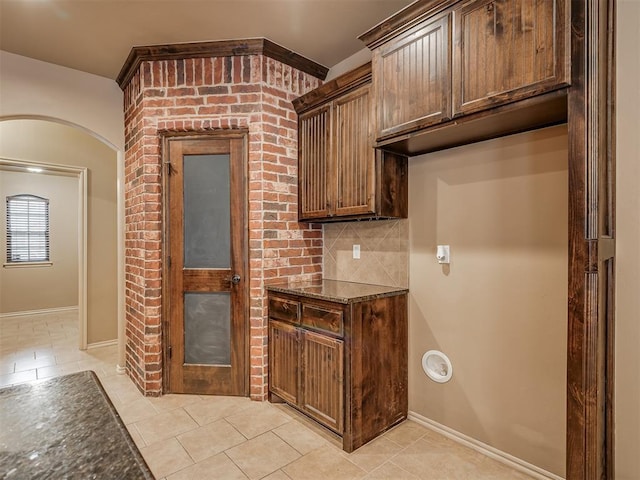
223,48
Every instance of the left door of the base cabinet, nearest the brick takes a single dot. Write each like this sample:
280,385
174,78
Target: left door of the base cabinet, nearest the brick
284,360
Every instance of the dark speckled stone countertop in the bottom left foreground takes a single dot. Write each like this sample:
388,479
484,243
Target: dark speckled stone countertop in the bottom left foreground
65,428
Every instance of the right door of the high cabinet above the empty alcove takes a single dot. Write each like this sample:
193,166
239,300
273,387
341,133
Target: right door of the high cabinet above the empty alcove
506,50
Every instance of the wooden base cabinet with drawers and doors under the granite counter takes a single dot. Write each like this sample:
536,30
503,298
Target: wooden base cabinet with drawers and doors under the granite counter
342,364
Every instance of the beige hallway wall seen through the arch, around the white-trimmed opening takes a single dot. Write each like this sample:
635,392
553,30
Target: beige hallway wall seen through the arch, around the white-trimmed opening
64,145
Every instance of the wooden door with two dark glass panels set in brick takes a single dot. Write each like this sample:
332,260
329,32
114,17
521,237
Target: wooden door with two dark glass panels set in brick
205,253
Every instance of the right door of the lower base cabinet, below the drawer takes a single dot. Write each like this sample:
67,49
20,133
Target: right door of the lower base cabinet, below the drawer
322,381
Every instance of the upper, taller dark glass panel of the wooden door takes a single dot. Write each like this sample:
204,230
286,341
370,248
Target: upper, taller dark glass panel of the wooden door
207,222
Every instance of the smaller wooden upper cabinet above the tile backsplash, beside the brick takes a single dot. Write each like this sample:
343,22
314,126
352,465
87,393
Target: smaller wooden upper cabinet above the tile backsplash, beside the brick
340,175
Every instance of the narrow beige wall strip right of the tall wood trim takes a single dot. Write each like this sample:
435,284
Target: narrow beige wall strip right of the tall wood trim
627,394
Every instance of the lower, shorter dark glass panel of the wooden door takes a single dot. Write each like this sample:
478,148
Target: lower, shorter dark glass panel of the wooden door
207,332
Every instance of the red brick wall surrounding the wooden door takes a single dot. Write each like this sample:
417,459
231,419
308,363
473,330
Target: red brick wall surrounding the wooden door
208,94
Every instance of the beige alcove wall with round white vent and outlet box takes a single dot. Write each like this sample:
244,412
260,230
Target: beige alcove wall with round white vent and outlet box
499,310
